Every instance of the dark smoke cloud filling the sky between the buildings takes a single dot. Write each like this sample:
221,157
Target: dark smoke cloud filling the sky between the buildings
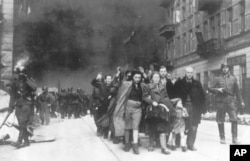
89,35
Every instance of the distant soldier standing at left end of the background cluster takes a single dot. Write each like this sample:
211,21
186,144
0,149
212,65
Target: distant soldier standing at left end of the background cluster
45,100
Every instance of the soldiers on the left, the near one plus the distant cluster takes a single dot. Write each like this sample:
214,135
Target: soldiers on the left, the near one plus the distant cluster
26,102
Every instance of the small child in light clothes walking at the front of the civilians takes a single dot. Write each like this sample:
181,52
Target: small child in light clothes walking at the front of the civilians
178,125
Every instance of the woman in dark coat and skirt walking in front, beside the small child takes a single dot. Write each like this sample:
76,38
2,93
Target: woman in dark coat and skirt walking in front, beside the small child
157,117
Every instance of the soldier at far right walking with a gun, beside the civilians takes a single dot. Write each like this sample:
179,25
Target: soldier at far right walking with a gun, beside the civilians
227,94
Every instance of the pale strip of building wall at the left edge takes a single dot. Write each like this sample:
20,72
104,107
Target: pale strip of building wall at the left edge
11,11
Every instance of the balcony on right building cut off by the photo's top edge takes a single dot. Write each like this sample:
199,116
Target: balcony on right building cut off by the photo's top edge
209,5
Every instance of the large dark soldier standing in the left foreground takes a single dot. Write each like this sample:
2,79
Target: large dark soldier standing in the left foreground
22,99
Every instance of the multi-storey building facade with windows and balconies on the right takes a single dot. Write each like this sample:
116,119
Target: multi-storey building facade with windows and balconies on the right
206,33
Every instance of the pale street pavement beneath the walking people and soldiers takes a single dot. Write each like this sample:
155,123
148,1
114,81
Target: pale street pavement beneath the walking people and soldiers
76,140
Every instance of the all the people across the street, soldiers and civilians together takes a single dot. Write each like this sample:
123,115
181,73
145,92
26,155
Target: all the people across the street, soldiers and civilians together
167,110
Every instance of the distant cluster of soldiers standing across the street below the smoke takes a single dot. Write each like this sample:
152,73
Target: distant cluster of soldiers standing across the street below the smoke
66,102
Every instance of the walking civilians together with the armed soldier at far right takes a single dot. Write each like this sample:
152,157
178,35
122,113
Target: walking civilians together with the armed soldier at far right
167,110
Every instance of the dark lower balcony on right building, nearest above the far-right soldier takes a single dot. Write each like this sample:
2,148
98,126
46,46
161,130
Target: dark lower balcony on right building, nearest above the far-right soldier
210,48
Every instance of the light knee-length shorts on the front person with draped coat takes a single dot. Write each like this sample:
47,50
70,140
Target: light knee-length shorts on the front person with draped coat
133,113
